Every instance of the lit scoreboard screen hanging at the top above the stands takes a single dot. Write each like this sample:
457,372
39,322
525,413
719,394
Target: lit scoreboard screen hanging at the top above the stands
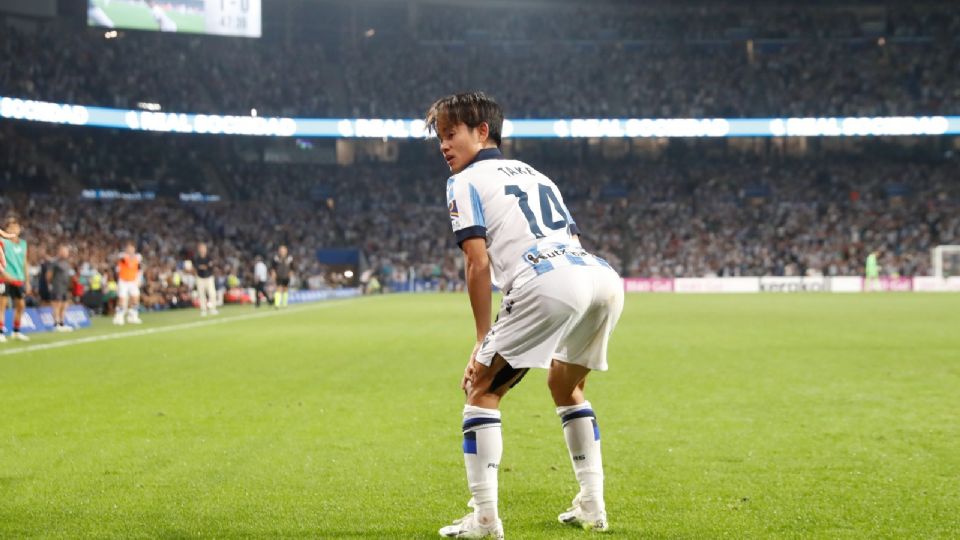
215,17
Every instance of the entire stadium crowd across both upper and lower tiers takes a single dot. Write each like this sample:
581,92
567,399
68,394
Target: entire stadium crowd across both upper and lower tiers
727,215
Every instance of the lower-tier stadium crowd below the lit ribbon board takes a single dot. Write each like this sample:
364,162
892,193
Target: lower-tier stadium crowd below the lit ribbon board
675,217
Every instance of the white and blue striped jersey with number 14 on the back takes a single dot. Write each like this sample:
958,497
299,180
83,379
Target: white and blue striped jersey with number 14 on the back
520,212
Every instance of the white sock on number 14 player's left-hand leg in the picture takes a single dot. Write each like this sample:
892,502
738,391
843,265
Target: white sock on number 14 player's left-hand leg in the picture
482,449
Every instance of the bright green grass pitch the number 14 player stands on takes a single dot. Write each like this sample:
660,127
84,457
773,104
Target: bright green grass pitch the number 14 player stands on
756,416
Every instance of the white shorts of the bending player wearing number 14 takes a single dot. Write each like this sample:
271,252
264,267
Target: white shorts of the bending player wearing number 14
567,313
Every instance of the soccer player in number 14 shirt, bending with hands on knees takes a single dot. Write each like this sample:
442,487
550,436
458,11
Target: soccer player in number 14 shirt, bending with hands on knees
560,305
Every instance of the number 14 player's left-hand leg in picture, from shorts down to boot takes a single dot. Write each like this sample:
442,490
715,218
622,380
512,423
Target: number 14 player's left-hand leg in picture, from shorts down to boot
483,448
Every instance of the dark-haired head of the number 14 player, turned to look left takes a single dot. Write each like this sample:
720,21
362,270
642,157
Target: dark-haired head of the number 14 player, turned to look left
465,124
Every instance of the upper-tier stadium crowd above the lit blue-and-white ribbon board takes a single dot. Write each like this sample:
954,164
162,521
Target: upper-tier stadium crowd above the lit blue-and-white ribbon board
642,62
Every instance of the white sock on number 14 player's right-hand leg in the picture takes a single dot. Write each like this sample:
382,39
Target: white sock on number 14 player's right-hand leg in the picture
583,441
